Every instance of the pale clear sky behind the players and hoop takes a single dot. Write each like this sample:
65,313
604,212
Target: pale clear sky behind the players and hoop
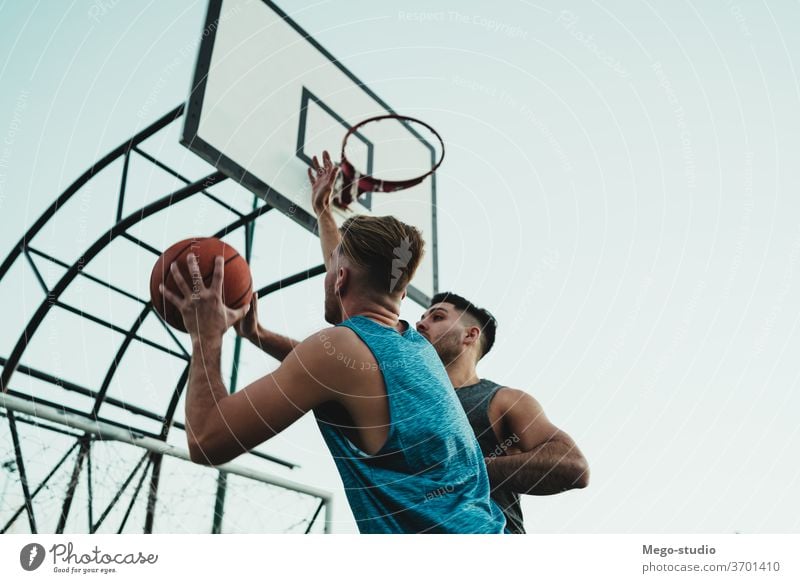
620,190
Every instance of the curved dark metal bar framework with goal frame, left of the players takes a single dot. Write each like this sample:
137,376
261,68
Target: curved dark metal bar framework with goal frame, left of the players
87,427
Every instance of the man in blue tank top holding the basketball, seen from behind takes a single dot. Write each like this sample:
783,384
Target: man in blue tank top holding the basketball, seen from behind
366,379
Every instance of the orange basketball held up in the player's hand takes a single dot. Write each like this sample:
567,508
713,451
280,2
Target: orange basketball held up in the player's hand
237,286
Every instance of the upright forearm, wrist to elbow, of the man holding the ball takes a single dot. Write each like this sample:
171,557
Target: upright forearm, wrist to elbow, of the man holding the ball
205,391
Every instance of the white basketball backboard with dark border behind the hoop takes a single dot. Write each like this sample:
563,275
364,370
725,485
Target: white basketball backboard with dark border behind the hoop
266,97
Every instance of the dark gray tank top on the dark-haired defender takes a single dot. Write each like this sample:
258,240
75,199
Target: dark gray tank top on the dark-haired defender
475,399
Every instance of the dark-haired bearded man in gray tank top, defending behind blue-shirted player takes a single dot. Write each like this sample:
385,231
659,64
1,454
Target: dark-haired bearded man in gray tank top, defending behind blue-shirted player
524,452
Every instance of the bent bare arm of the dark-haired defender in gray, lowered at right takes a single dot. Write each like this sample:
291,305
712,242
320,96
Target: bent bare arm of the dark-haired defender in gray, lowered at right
540,459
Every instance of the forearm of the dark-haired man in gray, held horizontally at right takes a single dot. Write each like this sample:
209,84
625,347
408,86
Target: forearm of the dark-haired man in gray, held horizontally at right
553,467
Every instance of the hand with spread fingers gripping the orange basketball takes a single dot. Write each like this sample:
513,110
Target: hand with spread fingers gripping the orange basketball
204,313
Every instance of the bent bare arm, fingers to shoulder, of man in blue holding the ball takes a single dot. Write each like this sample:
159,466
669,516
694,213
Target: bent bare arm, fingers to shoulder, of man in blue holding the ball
220,426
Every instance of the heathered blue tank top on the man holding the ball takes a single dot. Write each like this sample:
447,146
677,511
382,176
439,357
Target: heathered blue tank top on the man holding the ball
429,477
